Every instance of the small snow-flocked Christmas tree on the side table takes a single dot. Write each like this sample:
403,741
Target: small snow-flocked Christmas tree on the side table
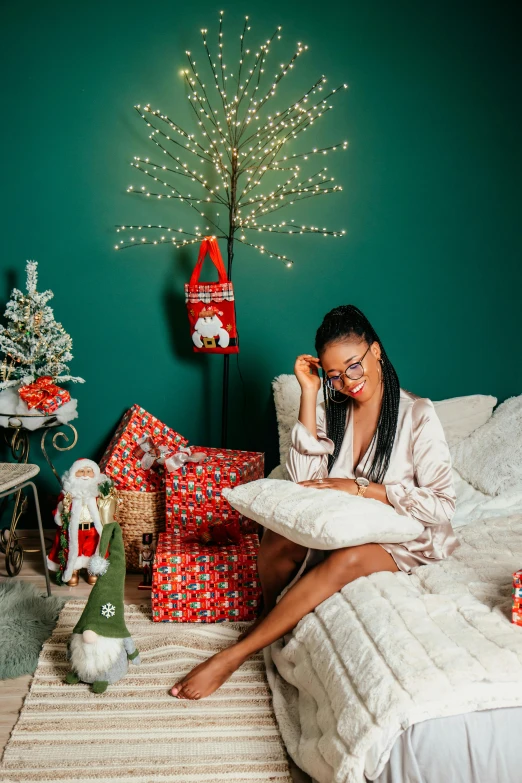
33,343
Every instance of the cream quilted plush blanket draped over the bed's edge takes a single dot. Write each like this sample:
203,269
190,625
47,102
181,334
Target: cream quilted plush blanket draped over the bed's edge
391,650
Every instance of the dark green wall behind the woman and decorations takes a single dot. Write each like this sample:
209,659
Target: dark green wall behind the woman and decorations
431,201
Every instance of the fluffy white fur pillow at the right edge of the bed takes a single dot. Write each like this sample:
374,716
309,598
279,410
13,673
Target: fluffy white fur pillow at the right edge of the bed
491,458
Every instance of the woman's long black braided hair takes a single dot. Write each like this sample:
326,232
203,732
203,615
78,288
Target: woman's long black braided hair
339,324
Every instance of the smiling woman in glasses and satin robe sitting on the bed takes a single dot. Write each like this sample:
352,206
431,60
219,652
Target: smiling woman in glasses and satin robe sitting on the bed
369,437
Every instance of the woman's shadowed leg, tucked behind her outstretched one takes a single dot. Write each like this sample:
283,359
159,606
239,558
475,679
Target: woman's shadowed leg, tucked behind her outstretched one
278,562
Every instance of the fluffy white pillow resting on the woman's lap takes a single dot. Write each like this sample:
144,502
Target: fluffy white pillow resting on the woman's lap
321,519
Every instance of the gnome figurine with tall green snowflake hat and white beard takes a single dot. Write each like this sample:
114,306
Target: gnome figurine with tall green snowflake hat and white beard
101,646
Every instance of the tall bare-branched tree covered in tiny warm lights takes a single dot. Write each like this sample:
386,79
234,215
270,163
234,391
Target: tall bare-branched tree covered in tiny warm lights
238,143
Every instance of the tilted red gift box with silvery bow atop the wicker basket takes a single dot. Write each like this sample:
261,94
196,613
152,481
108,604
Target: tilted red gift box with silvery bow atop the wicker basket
137,436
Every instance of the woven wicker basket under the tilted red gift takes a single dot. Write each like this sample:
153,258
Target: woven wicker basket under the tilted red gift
138,513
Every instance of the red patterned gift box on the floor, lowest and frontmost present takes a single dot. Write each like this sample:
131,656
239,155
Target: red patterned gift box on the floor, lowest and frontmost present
193,583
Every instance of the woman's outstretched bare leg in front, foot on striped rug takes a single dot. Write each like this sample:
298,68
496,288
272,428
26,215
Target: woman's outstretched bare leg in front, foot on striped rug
341,567
